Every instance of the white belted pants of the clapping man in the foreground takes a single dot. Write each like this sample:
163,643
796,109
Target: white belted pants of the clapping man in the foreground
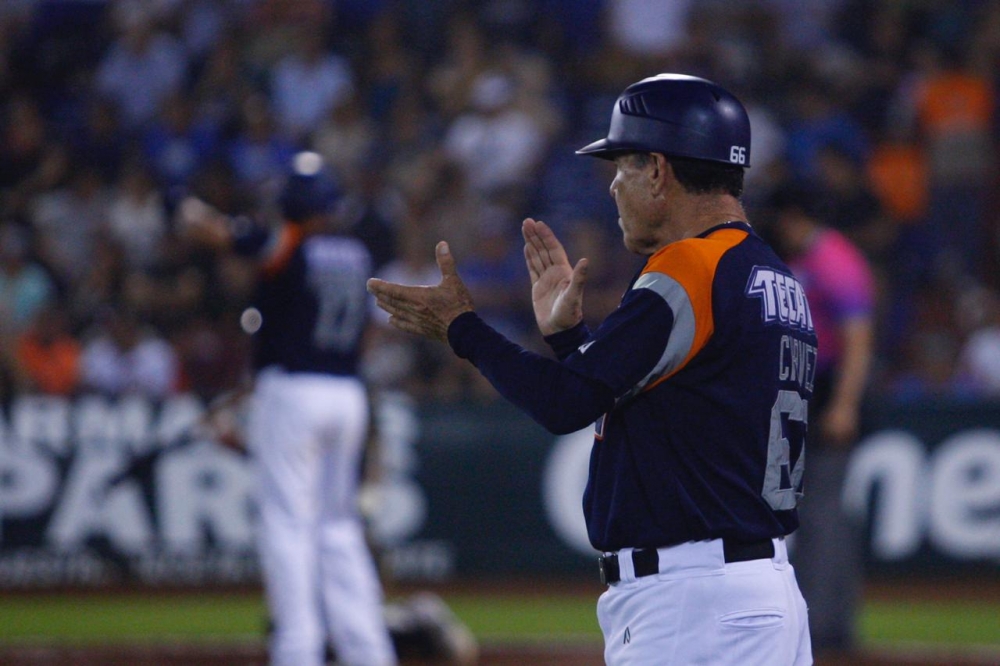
700,610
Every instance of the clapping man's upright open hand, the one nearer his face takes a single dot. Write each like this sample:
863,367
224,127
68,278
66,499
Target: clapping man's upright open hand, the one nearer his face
556,286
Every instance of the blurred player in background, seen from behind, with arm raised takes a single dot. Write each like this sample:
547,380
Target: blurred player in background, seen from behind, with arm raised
308,424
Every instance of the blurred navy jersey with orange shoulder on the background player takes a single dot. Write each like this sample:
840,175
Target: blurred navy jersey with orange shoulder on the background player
312,298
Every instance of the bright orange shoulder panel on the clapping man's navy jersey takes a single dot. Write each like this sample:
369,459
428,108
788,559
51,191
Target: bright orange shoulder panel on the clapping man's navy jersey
692,263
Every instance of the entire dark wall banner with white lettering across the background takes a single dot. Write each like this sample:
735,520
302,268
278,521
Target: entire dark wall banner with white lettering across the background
95,491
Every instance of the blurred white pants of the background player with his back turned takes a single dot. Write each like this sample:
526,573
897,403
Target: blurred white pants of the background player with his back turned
307,434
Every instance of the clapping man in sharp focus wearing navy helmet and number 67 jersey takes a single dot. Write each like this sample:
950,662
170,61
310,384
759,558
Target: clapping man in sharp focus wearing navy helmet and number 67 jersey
698,384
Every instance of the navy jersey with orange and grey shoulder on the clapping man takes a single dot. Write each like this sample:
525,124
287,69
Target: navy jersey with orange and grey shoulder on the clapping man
699,385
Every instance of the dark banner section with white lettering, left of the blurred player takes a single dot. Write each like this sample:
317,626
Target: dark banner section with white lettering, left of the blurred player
94,491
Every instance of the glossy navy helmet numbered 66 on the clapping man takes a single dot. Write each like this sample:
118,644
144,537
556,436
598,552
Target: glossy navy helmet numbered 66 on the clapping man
679,116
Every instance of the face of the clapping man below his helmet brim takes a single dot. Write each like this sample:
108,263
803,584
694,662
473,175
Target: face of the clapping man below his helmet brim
631,192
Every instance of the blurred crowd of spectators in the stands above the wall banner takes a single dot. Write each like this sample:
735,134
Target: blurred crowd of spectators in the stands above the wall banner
455,119
